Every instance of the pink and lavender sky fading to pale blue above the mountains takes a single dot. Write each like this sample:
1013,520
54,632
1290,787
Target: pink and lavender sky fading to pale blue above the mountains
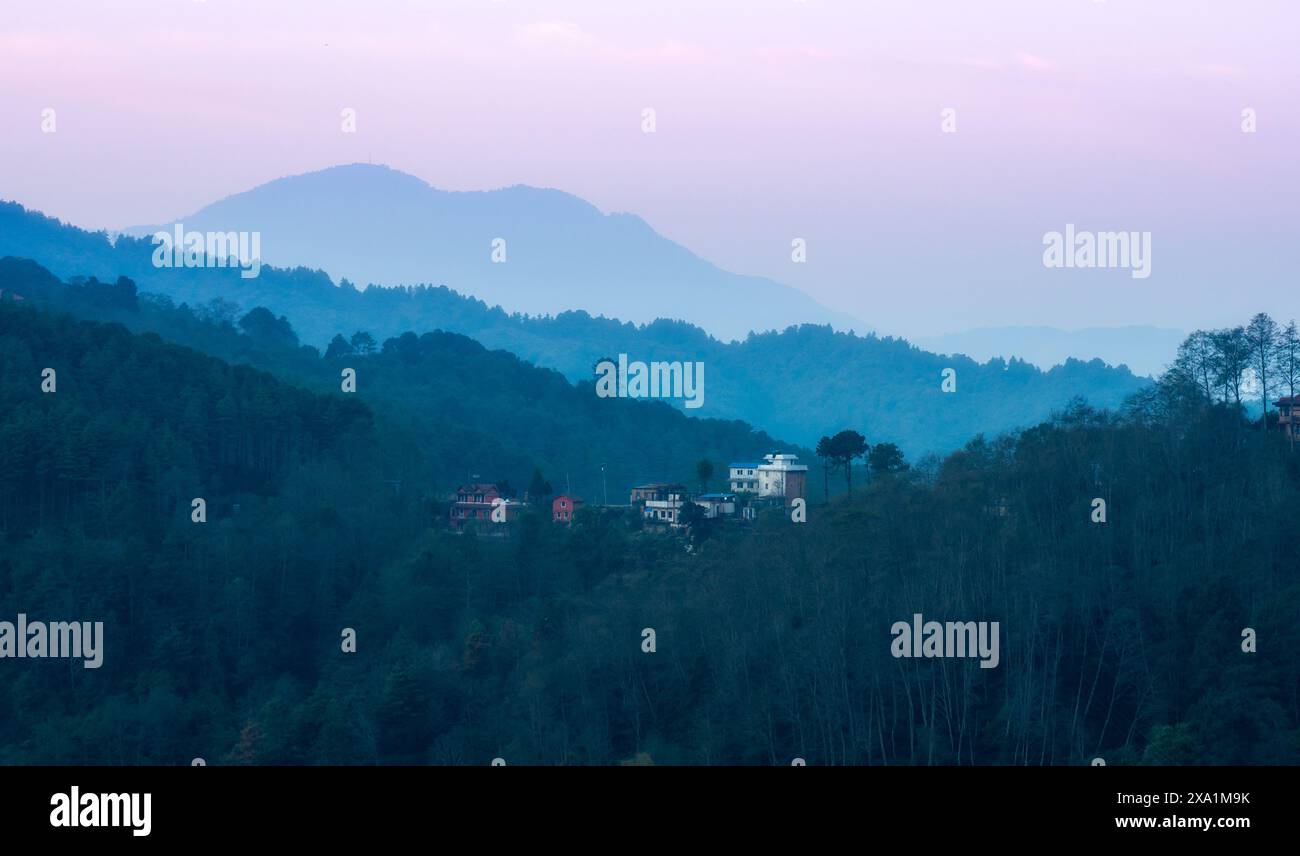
775,120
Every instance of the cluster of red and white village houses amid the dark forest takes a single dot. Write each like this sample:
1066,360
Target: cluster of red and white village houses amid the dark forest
774,482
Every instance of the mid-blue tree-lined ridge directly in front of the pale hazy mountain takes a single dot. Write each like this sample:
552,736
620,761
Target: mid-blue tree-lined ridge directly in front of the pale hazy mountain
795,384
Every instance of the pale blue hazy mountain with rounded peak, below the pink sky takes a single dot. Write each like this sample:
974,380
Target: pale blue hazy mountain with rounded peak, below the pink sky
378,226
